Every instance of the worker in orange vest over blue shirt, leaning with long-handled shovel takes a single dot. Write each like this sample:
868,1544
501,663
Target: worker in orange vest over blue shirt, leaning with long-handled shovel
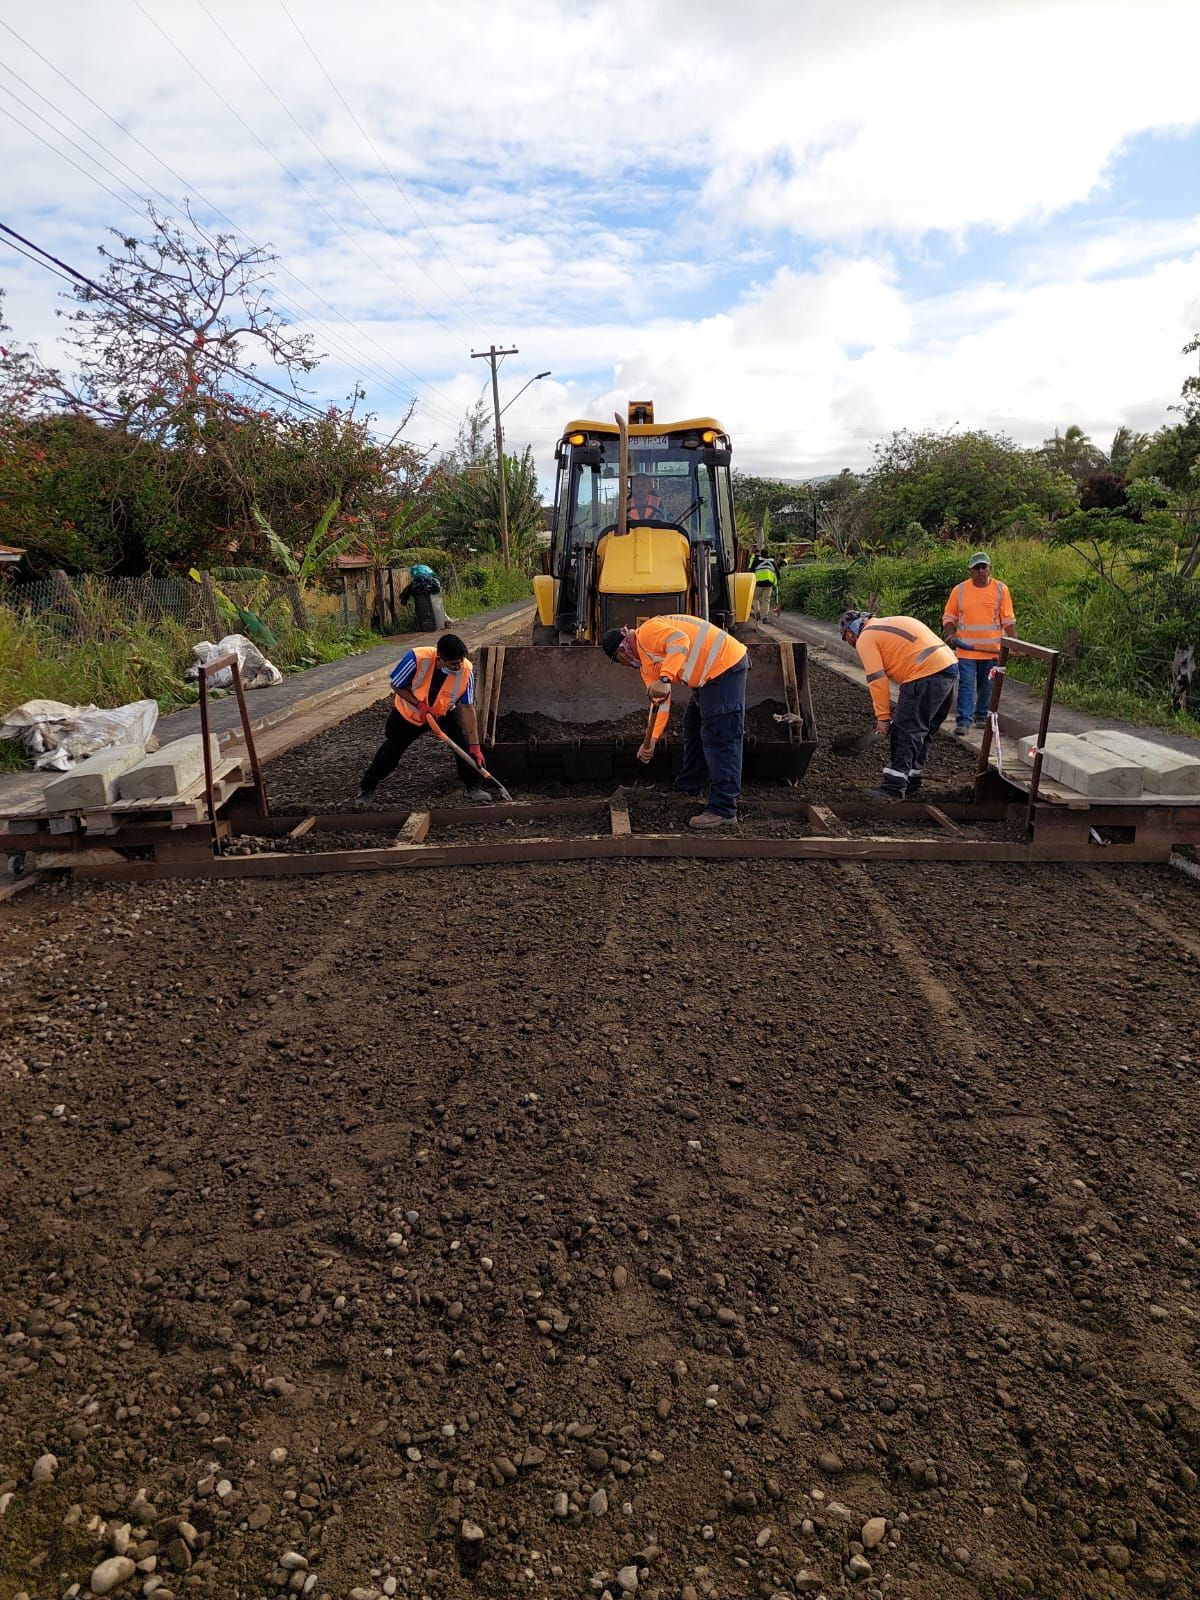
430,682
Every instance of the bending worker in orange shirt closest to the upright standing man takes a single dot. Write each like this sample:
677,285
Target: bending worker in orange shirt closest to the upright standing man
906,652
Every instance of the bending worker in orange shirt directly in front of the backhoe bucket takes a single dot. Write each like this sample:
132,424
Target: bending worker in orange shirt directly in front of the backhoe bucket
671,650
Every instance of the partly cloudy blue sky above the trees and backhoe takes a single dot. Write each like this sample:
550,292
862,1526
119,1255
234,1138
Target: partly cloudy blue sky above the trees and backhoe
817,223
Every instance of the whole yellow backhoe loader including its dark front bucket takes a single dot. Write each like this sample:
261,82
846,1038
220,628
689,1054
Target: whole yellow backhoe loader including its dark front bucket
642,527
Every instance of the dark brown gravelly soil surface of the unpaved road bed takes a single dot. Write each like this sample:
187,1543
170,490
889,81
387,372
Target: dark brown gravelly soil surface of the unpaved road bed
663,1230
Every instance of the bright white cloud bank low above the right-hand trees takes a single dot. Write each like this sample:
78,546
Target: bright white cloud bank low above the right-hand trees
1098,353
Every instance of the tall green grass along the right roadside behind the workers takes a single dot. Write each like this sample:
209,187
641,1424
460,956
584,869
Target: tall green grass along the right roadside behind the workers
1119,671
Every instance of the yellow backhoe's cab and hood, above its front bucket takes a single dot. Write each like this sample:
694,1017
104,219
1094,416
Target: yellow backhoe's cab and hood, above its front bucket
644,527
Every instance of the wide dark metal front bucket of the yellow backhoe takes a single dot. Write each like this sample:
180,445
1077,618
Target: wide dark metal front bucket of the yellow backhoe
567,713
